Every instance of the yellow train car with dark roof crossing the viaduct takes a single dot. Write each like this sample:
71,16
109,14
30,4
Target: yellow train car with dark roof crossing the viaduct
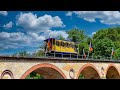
60,47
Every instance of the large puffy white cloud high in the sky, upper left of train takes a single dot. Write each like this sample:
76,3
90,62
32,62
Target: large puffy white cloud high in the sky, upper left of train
32,23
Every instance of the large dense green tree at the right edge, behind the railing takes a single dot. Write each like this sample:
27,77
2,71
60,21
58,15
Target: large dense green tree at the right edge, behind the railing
105,39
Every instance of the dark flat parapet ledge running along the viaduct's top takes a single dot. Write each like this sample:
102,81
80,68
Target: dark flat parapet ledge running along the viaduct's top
20,58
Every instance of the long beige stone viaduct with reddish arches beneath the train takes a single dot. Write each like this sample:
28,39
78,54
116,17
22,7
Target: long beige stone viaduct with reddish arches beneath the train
58,68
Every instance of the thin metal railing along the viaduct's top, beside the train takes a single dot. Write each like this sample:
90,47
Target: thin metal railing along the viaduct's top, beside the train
69,56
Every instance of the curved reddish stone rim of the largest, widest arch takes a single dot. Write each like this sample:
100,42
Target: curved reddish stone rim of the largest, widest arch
45,66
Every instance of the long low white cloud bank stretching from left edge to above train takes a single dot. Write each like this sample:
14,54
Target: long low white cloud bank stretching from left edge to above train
19,39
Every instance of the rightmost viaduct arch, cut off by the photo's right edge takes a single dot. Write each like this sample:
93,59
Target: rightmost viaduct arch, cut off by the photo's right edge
112,72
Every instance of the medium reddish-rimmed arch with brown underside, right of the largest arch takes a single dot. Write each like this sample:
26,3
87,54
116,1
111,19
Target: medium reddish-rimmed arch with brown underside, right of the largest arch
90,70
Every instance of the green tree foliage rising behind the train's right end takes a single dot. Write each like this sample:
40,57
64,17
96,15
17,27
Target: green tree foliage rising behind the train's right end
79,37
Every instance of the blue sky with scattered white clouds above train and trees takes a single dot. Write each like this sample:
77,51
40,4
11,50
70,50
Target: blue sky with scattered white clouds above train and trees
26,30
